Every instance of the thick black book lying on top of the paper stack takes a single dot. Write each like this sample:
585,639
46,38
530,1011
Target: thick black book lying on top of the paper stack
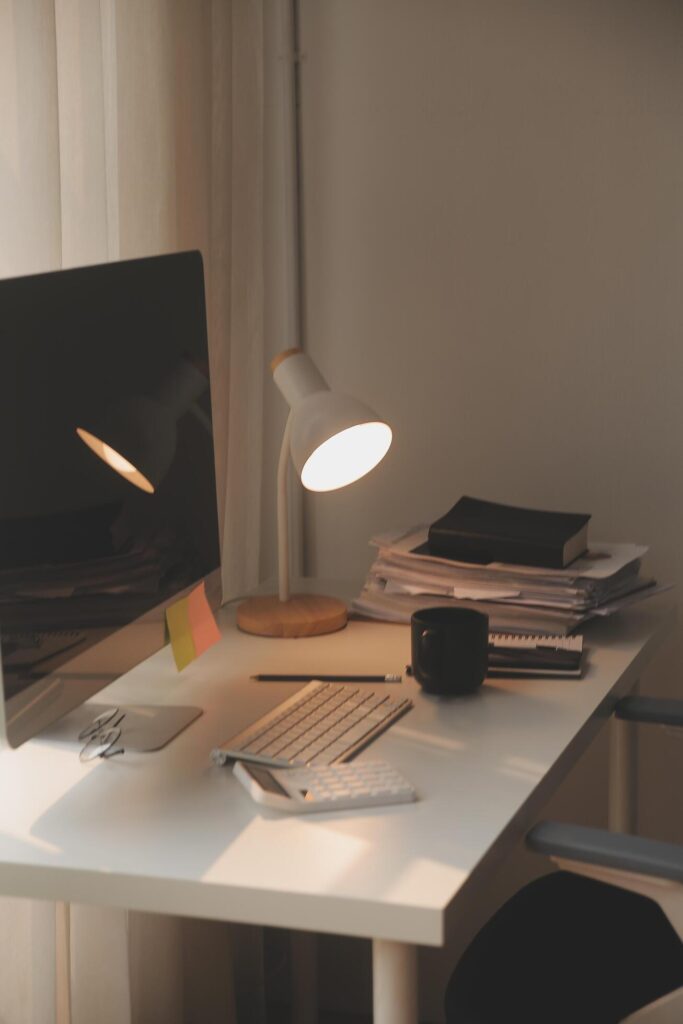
476,531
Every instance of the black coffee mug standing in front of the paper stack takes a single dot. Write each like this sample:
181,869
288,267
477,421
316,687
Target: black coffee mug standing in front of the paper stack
450,650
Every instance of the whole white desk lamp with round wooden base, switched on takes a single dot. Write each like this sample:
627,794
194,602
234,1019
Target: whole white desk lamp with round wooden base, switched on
333,440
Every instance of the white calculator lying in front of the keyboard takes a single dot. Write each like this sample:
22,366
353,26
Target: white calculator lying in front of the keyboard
325,788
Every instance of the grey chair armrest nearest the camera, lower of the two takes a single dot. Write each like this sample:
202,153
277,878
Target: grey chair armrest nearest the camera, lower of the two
597,846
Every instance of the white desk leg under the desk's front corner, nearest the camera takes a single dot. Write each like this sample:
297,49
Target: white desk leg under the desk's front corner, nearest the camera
395,983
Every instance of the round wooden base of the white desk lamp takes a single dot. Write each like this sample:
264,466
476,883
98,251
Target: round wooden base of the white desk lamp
303,616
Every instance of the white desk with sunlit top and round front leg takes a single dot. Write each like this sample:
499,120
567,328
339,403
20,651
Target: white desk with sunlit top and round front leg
170,833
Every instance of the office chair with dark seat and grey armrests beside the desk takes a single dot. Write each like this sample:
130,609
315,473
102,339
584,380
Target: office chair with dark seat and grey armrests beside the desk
599,943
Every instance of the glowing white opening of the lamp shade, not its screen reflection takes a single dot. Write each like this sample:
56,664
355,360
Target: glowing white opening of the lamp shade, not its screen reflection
347,457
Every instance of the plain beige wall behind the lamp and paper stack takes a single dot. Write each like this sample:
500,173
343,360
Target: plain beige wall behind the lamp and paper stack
494,240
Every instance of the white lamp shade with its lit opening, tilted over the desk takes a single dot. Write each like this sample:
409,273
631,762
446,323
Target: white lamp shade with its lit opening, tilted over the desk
335,439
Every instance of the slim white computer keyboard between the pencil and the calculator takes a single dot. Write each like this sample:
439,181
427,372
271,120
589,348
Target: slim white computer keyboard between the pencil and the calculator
322,724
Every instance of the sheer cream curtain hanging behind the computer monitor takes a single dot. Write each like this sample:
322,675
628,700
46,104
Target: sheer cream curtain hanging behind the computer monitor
132,127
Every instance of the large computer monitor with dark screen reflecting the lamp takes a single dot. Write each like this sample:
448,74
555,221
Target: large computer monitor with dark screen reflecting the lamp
108,488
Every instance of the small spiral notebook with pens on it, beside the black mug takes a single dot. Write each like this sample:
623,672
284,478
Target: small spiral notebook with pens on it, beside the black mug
525,655
